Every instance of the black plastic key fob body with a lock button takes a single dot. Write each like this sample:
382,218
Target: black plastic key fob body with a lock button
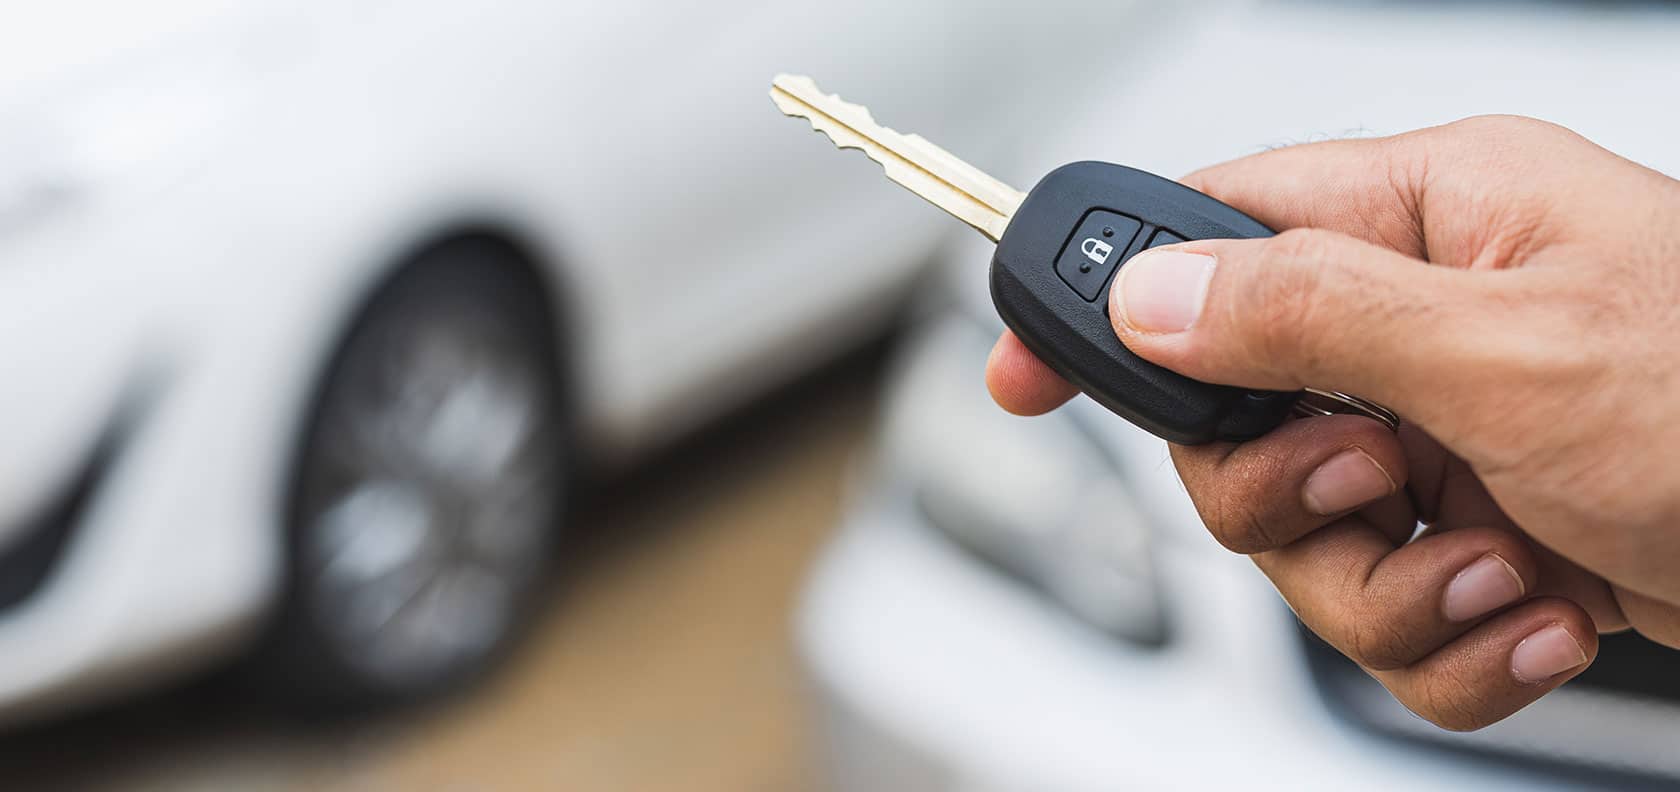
1051,282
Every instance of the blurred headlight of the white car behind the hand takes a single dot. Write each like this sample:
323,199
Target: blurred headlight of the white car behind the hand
1036,499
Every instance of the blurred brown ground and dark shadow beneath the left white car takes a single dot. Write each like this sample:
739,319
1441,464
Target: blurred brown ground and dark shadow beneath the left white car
664,665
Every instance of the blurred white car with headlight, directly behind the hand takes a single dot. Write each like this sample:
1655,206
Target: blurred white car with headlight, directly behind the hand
1032,605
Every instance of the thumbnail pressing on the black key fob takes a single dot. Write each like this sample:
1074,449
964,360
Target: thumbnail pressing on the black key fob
1162,292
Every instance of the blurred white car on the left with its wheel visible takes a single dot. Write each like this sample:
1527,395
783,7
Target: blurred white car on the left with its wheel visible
312,310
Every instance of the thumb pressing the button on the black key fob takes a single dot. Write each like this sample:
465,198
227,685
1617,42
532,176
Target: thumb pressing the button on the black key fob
1310,309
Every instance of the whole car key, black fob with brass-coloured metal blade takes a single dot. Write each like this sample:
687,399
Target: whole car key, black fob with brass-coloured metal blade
1059,250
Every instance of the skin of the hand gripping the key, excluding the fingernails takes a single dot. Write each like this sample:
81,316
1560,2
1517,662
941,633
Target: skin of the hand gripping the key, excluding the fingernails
1515,293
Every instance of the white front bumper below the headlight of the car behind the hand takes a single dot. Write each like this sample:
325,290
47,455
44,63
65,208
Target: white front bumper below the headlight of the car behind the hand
932,672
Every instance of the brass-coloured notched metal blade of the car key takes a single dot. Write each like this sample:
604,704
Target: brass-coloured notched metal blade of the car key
921,167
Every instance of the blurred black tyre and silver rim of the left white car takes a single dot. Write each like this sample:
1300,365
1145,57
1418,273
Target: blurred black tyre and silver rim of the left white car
429,483
